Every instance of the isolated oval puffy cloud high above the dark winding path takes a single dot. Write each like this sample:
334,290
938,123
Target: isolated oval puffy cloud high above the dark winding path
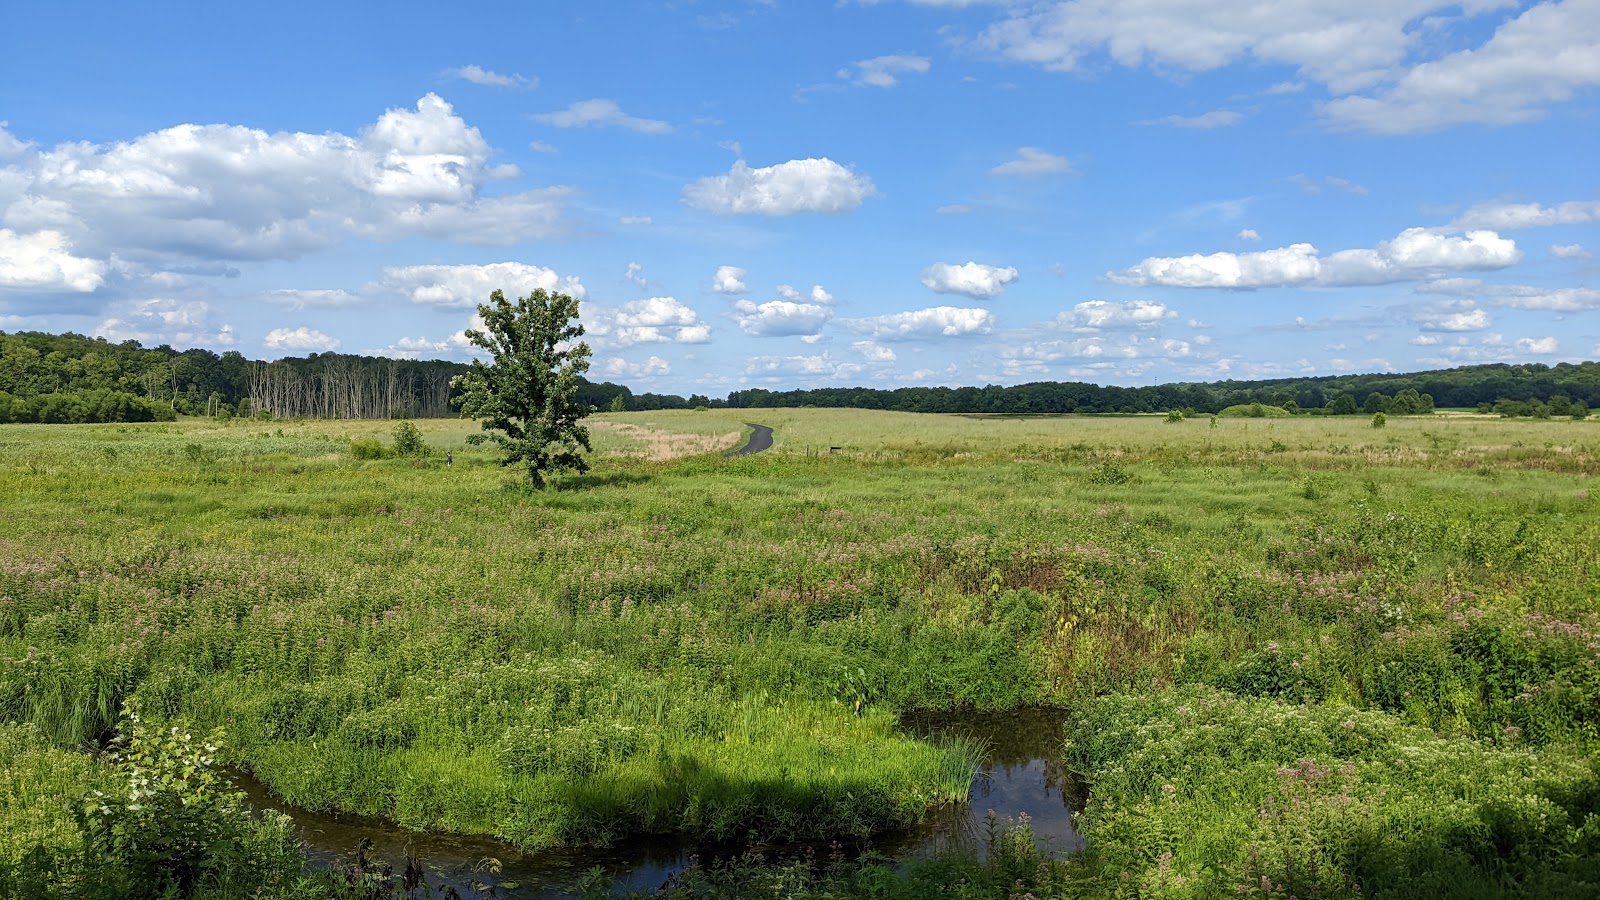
785,190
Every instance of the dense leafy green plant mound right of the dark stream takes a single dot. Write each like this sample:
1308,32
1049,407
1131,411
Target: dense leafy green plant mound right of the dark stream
1201,794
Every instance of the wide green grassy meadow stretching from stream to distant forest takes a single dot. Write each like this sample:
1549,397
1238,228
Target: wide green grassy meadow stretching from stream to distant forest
1303,657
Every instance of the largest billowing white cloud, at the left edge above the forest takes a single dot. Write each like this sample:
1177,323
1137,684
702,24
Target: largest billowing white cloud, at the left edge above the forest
215,193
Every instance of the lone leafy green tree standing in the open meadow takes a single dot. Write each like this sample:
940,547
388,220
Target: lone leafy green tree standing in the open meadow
529,395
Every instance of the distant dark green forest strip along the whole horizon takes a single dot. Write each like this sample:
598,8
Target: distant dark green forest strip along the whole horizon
71,379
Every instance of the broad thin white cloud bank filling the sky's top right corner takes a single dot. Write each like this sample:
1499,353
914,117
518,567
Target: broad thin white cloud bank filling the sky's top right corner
1393,66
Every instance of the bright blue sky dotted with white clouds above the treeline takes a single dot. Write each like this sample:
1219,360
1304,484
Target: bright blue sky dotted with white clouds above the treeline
801,195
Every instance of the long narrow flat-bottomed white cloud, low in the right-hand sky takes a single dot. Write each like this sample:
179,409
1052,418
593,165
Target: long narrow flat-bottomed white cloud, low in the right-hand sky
1415,254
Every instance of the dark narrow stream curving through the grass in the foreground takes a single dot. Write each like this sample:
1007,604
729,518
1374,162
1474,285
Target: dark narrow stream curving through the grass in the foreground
1022,774
